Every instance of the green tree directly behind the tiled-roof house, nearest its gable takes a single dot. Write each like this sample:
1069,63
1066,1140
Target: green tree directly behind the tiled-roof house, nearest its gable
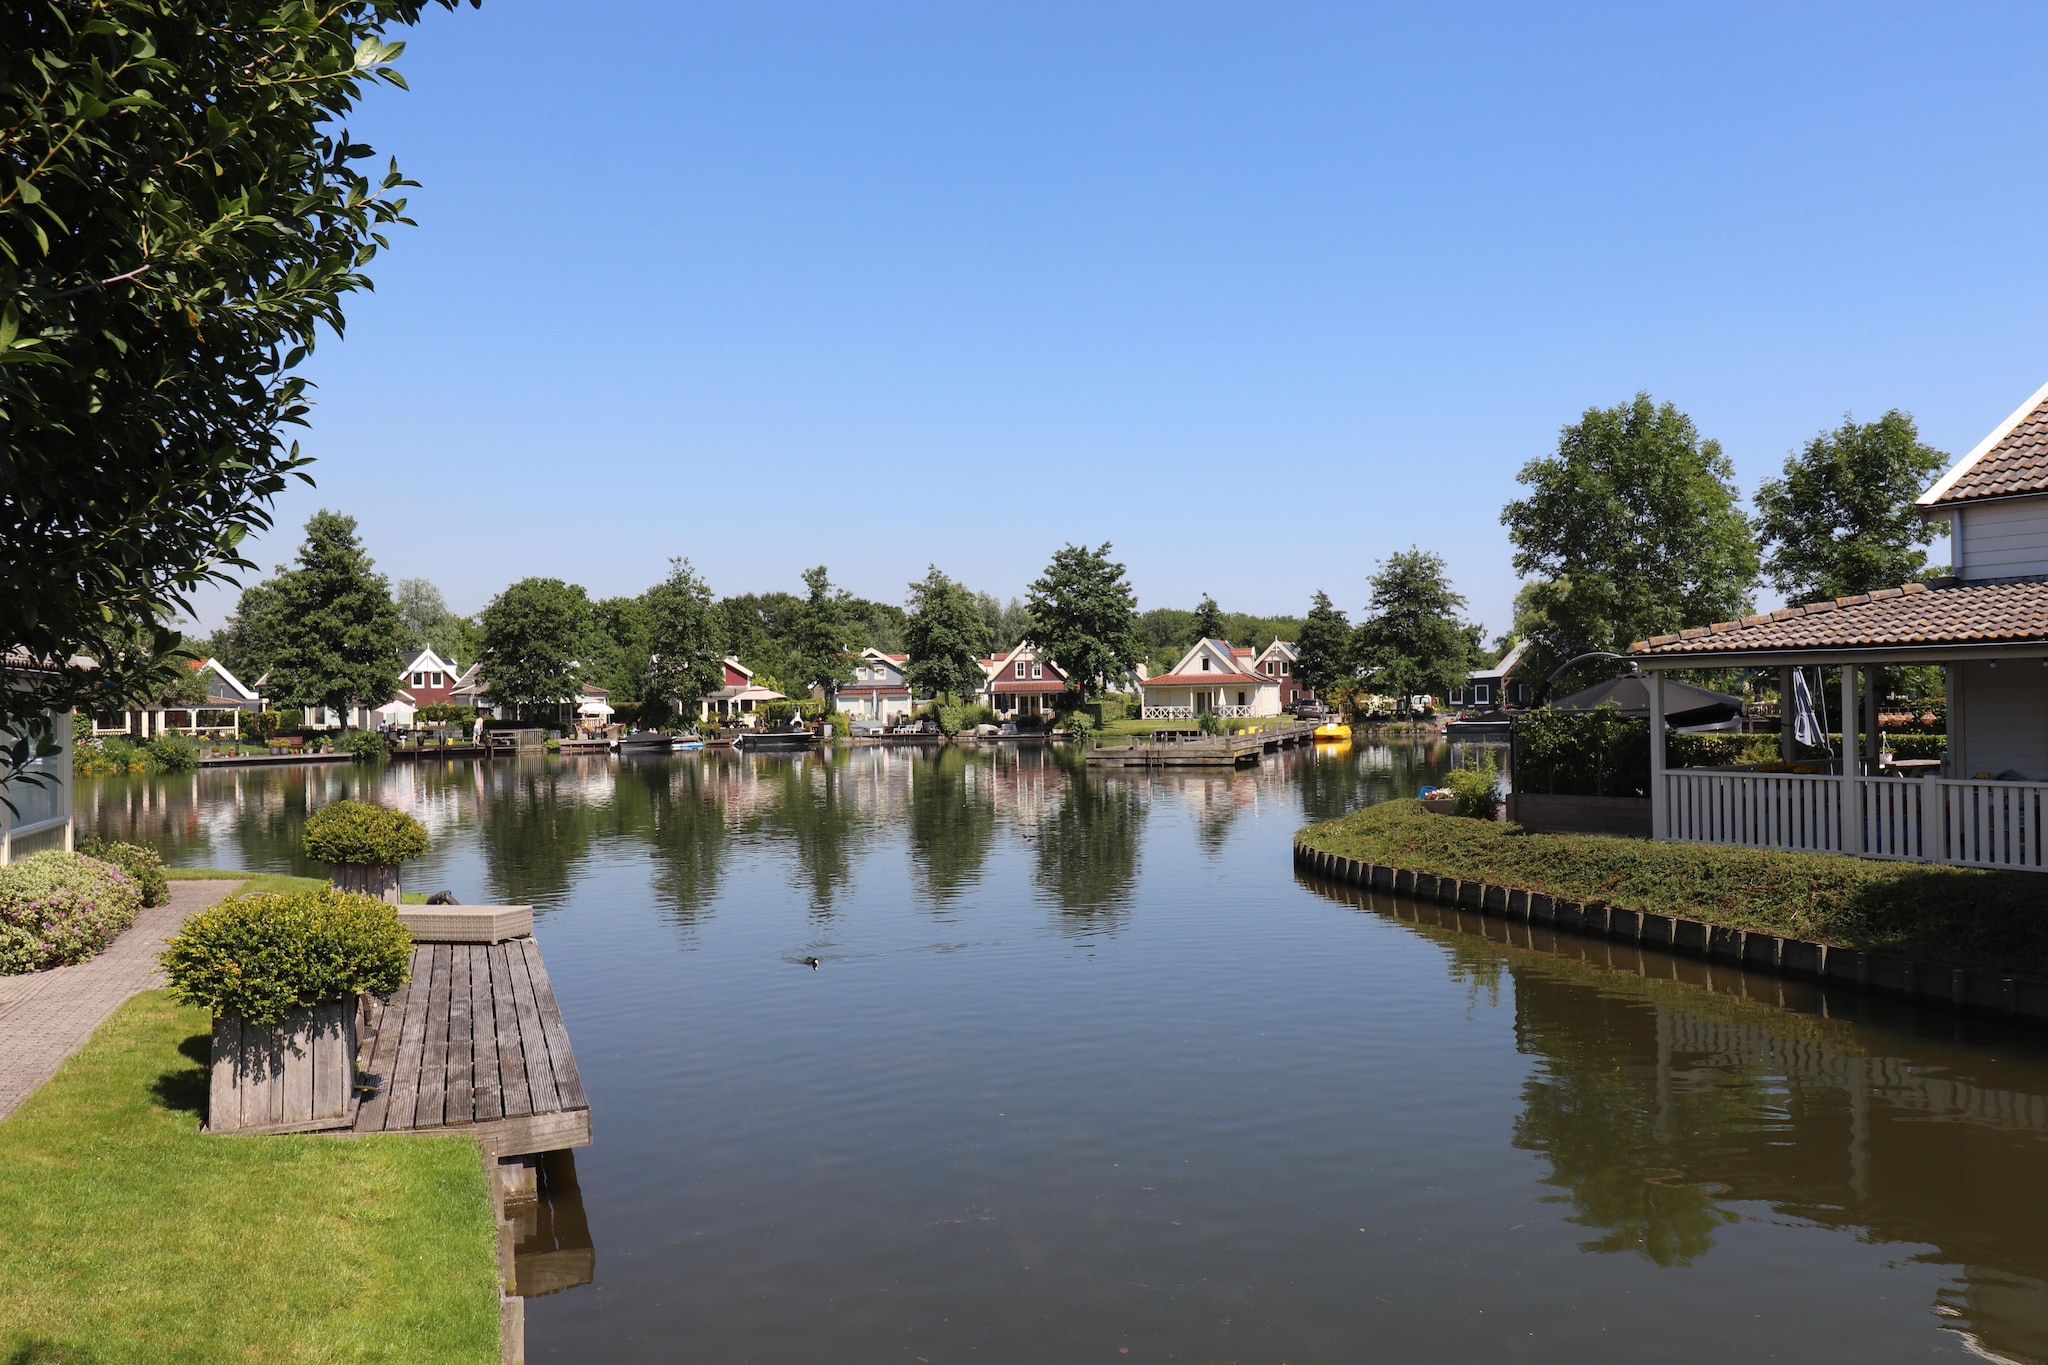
1842,519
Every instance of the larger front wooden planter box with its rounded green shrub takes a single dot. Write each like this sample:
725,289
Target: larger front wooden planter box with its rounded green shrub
284,975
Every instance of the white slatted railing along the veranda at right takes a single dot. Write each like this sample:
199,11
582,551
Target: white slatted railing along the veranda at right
1977,824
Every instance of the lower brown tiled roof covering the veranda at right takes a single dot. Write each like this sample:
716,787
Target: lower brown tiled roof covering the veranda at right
1893,617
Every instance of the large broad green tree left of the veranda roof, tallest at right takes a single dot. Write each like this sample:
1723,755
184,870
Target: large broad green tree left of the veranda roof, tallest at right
1631,531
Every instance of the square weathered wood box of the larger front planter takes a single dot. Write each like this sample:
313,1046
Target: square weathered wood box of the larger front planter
284,1077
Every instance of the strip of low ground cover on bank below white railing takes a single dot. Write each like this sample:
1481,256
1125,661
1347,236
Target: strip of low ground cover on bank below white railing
1971,918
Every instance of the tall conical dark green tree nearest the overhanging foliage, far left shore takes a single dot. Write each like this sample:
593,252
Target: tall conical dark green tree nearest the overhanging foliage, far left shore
337,627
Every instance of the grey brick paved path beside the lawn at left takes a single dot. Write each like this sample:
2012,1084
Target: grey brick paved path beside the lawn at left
50,1016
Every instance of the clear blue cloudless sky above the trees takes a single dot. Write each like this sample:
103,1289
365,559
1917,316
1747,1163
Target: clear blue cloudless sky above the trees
1261,294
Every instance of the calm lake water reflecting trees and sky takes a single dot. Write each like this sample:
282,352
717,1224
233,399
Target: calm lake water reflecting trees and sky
1089,1075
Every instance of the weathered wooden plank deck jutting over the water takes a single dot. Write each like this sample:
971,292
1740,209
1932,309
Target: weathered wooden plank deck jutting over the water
474,1045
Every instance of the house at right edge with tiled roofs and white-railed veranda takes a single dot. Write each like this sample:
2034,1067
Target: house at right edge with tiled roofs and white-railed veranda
1988,631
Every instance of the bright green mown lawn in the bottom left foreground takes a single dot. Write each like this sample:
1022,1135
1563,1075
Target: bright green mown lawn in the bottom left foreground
136,1239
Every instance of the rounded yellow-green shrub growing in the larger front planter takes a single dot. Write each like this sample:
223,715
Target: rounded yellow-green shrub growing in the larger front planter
261,957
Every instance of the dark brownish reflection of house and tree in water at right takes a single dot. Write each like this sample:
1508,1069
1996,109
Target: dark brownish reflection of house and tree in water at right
1670,1094
